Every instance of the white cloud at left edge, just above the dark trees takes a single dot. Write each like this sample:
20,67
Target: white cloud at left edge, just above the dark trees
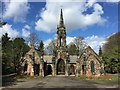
8,29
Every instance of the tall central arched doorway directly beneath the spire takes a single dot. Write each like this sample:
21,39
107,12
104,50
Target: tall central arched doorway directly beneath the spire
61,67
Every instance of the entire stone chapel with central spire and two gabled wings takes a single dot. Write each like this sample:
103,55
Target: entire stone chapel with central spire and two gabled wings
62,64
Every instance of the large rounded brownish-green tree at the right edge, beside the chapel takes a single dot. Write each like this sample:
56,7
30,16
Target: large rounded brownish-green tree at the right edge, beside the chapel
111,53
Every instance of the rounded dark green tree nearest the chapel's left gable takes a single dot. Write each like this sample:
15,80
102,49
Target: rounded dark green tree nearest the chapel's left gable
19,50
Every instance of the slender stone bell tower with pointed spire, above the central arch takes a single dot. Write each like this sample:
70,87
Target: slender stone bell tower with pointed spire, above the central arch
61,34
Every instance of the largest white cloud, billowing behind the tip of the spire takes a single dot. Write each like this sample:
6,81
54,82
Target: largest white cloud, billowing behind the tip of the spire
74,17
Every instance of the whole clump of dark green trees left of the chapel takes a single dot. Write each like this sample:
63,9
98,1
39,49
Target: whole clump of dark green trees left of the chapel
12,51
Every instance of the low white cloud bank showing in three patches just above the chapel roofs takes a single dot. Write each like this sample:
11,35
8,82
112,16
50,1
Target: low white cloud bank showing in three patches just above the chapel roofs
93,41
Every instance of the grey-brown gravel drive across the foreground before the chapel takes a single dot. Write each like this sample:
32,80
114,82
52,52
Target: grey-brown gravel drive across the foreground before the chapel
62,82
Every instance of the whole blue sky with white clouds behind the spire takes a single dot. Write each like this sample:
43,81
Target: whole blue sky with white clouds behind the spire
95,21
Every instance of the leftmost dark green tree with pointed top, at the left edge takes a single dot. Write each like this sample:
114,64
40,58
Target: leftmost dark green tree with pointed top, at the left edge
7,65
